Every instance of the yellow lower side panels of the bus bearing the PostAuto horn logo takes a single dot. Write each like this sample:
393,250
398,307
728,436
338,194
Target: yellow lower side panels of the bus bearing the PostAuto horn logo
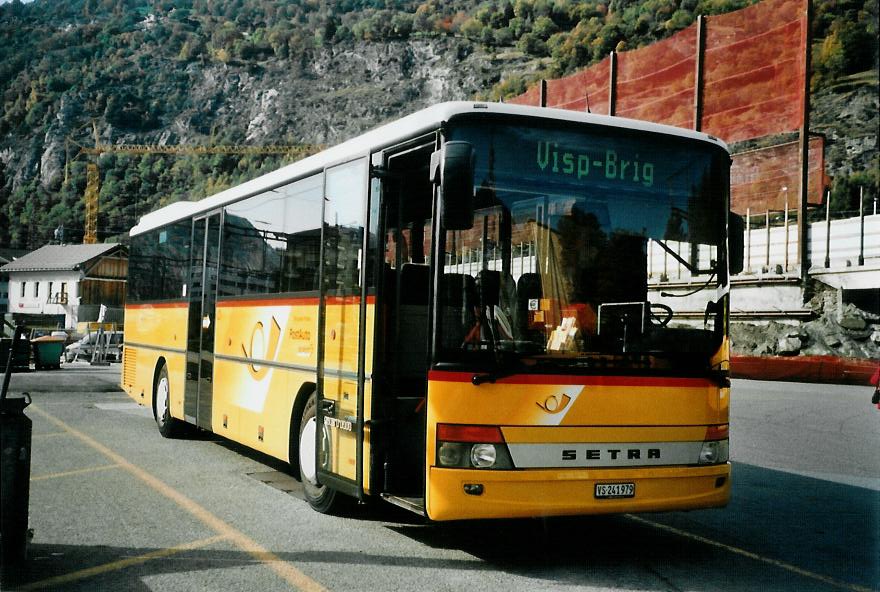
265,351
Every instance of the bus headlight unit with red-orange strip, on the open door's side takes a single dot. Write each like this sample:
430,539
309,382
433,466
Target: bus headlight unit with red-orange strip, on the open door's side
472,447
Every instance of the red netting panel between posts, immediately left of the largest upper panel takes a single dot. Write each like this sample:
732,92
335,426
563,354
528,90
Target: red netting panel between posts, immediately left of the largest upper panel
656,83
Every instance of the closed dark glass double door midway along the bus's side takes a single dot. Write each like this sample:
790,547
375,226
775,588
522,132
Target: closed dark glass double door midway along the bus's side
198,394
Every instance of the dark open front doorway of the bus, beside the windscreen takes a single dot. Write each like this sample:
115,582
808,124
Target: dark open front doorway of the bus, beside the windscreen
404,318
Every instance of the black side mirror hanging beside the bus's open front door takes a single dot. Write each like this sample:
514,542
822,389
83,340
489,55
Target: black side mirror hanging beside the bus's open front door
452,168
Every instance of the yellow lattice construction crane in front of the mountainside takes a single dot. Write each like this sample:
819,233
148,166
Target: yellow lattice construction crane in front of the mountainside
93,178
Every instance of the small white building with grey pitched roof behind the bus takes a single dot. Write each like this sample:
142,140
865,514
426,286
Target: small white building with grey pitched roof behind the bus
65,285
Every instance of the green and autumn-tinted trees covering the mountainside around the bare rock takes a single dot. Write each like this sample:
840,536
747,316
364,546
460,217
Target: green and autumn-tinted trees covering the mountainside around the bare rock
65,63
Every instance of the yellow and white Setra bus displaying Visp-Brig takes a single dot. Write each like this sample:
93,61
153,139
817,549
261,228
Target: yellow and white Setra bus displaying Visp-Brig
453,312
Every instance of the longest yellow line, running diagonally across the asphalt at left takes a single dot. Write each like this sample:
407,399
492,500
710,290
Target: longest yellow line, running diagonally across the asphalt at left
285,570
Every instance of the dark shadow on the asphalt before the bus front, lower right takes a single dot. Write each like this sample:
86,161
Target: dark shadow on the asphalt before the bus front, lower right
825,528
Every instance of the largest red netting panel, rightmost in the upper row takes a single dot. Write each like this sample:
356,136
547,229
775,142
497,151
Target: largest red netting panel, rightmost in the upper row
754,71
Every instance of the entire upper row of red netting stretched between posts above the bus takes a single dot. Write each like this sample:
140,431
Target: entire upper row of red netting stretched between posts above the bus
753,73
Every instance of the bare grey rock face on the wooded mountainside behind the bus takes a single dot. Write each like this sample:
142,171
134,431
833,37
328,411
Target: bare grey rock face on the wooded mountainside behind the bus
321,97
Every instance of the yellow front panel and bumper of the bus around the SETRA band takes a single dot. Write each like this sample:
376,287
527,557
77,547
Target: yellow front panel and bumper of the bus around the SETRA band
562,409
